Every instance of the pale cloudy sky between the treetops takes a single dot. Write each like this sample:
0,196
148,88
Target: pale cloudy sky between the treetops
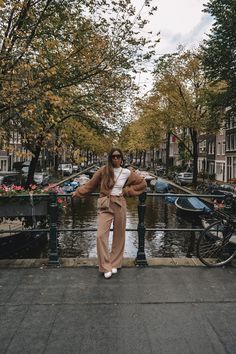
180,22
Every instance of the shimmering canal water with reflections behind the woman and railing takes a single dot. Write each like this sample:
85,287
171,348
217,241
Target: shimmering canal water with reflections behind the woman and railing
159,214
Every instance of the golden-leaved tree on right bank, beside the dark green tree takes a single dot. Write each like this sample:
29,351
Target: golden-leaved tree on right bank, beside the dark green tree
181,87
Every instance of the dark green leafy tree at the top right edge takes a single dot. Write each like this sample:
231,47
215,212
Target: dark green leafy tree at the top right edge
219,52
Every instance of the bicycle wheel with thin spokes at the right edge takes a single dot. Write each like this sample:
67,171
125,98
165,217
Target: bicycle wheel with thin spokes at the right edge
214,246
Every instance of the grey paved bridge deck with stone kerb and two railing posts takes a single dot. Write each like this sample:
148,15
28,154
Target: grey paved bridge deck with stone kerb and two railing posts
171,306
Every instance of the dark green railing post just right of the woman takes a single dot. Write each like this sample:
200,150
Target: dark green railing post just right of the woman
141,257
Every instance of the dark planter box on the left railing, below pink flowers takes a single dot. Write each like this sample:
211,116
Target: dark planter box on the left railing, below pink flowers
10,207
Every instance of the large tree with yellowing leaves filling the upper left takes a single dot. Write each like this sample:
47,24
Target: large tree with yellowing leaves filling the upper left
65,59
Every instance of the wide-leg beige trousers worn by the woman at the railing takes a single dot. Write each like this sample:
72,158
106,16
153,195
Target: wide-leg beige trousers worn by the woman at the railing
116,213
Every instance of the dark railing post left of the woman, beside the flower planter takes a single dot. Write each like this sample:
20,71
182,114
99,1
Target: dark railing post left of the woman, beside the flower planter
53,247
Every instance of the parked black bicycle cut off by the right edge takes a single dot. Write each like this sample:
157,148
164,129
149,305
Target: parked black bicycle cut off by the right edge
216,246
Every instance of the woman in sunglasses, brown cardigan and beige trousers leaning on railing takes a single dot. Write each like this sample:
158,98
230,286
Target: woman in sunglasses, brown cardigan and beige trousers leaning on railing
115,182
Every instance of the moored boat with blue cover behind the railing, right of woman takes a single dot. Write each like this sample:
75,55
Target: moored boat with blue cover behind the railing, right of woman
192,205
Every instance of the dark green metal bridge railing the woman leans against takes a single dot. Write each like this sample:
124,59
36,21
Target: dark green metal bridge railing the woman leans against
50,210
